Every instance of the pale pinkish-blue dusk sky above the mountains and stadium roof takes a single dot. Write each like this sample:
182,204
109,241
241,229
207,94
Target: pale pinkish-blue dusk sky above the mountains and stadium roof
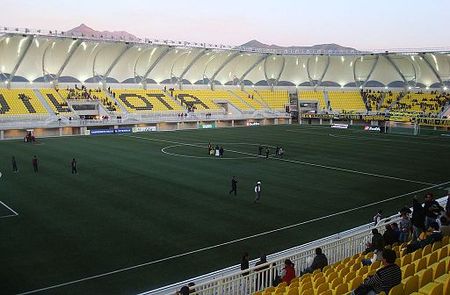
359,24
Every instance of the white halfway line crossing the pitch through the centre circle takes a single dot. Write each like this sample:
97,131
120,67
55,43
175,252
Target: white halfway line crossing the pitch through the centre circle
295,162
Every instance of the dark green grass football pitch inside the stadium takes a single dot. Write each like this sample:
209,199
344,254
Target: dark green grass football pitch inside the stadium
144,197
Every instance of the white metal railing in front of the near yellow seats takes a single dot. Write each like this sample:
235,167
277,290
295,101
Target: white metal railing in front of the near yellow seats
234,281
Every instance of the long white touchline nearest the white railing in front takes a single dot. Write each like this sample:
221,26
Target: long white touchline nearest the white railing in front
230,242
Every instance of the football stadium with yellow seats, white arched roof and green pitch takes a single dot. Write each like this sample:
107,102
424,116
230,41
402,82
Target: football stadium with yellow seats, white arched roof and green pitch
149,209
